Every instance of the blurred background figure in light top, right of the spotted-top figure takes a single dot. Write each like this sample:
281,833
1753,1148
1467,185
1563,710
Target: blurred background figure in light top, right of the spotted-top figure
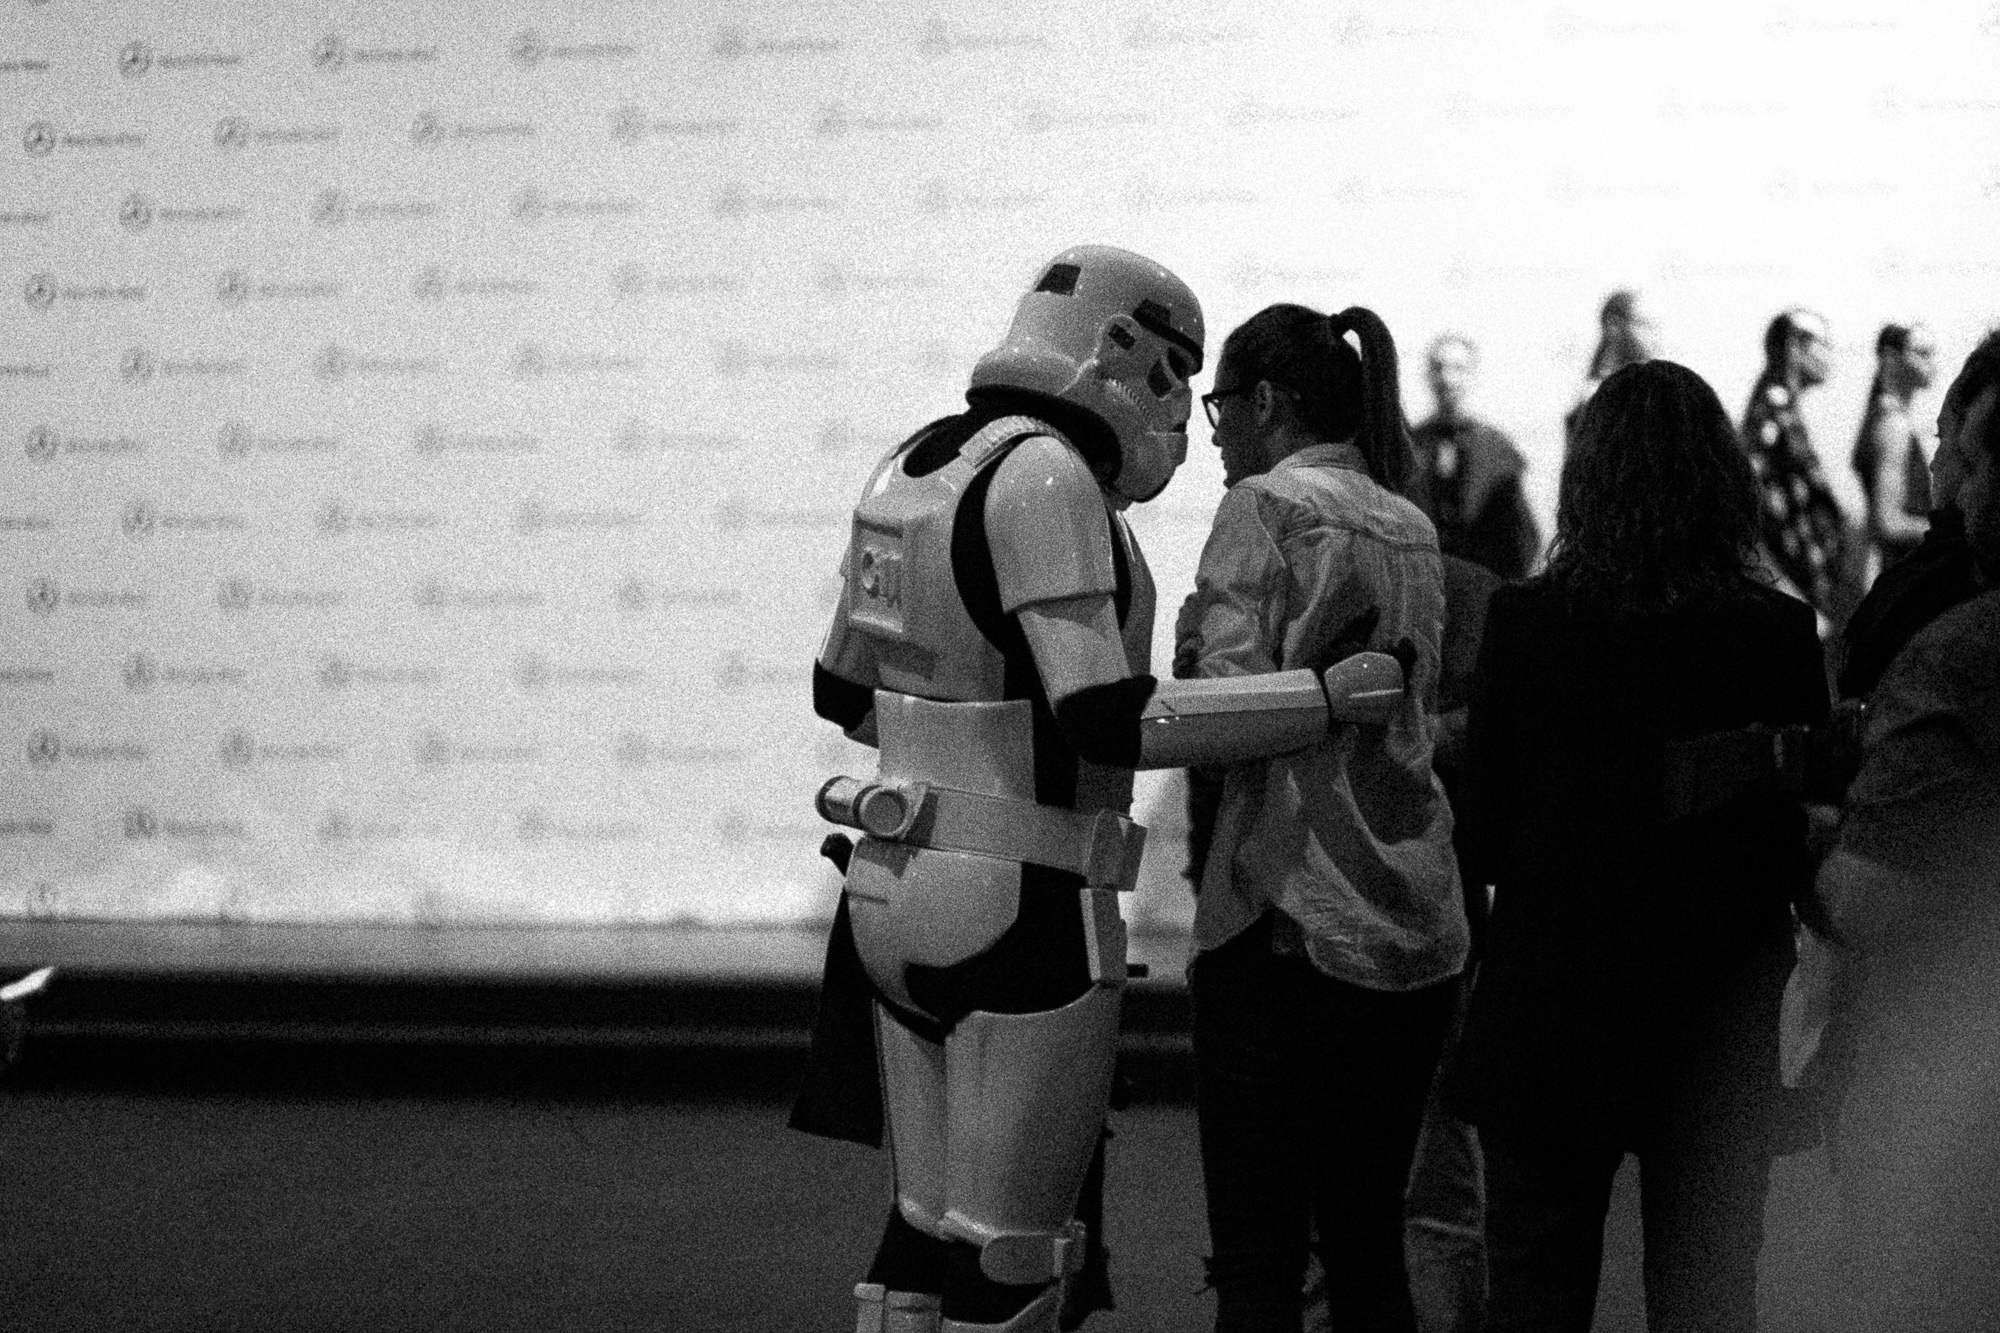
1887,455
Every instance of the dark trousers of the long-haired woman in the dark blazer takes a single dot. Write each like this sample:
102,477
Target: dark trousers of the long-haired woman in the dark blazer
1701,1210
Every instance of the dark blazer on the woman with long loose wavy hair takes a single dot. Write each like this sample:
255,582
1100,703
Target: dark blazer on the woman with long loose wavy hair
1633,968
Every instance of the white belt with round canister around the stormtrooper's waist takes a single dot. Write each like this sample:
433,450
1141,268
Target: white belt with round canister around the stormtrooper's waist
1103,848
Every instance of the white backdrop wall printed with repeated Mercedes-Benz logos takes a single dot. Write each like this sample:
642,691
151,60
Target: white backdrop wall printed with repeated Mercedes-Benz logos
427,429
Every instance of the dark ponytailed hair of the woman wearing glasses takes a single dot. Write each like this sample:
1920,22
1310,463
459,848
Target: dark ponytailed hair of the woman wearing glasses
1341,393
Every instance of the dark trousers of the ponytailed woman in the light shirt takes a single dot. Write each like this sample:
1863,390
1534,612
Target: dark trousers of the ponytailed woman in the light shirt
1309,1094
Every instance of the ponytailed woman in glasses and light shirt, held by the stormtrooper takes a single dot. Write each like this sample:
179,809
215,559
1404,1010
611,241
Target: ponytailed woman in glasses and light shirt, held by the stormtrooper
1329,926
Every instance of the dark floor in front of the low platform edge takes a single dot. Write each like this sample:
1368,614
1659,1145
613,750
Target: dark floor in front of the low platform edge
351,1190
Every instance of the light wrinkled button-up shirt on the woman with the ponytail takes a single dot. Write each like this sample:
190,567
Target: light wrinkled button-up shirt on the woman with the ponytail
1353,838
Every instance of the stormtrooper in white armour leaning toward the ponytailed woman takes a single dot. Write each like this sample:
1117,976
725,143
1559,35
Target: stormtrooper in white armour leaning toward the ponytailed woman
993,643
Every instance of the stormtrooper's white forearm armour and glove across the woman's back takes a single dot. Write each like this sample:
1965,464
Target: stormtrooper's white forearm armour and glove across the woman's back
1231,720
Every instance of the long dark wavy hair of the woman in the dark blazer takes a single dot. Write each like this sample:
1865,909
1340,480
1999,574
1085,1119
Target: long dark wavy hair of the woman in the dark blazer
1657,507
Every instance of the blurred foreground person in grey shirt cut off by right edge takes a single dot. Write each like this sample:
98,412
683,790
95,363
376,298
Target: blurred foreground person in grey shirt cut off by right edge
1911,900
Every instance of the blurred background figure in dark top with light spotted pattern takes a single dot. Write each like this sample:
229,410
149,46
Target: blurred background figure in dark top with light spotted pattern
1801,525
